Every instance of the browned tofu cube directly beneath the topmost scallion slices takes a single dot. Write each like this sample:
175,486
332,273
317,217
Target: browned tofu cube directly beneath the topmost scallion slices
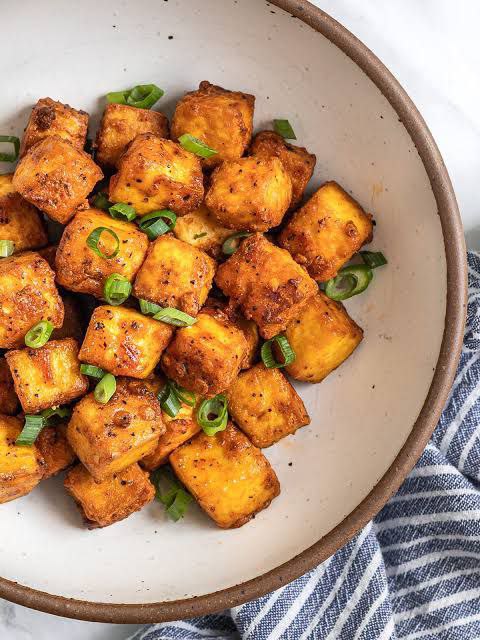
120,125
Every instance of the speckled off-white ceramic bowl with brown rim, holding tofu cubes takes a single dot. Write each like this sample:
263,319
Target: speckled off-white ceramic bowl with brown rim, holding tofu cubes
371,418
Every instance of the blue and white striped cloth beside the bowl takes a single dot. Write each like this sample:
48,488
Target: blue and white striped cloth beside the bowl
414,572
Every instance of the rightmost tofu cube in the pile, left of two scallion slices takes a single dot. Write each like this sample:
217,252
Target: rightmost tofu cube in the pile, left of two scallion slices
327,231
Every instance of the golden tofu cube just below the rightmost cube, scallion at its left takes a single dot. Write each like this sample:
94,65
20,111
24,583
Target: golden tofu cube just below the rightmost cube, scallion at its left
325,324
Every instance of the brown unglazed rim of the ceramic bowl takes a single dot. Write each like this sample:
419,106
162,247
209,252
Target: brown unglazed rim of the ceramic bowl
413,447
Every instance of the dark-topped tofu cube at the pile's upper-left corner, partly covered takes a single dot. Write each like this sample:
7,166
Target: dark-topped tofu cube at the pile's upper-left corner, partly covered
51,118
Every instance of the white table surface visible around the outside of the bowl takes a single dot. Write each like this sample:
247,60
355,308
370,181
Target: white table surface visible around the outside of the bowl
431,46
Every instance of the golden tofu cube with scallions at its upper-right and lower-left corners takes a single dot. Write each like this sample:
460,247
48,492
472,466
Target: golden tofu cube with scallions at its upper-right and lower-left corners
134,342
